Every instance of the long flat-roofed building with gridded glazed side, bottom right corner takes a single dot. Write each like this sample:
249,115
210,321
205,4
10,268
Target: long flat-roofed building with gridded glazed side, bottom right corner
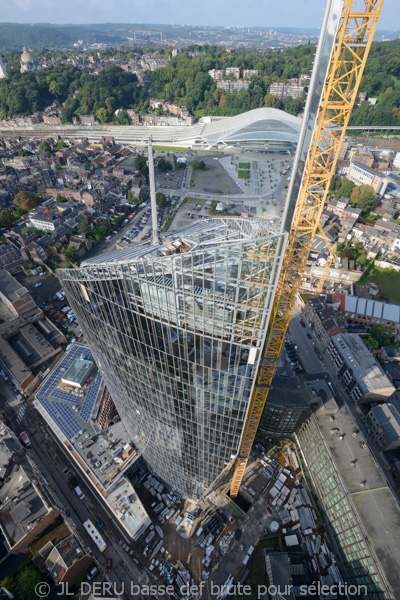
360,508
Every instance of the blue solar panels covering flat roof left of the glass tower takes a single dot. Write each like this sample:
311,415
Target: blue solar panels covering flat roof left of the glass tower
58,403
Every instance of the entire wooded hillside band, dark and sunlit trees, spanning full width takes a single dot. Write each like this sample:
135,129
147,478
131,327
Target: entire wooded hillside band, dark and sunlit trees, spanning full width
185,80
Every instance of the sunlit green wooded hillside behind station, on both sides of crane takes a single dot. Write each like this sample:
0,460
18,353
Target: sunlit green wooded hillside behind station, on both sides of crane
185,80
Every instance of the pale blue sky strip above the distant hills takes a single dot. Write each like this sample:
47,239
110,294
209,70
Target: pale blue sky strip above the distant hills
264,13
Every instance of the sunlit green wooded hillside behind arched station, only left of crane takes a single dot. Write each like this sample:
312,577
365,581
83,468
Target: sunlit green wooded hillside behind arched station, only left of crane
185,79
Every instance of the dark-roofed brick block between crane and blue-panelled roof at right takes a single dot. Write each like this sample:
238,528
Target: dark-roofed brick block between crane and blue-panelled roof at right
324,319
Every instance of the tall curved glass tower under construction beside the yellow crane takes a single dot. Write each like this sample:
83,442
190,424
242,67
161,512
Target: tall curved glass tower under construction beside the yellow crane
177,331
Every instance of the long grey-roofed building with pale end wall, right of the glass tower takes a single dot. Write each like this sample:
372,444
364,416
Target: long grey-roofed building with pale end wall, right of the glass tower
357,369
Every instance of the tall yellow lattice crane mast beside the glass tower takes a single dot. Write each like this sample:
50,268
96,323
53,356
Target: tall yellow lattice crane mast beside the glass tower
352,43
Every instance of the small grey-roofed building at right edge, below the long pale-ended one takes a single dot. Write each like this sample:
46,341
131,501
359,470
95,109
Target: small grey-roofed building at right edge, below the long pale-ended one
384,424
